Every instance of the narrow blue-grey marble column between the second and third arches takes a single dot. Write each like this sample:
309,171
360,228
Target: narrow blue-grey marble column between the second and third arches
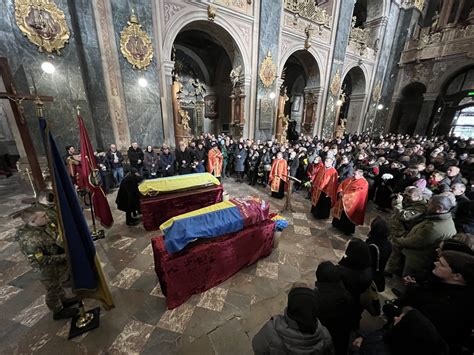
343,27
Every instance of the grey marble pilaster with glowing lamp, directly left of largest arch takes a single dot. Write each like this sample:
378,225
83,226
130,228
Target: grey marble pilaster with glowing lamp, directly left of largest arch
142,104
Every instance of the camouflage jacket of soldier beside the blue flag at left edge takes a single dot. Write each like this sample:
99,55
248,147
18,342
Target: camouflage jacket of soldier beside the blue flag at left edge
41,245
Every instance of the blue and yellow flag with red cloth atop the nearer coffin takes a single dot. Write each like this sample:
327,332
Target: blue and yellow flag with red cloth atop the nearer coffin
212,221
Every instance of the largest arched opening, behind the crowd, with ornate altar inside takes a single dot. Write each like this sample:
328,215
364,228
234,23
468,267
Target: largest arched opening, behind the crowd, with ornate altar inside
204,56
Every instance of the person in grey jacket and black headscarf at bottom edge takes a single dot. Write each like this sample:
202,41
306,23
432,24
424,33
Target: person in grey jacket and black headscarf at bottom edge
298,331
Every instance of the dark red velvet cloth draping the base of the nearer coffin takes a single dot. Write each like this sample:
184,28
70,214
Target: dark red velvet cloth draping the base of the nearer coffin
207,263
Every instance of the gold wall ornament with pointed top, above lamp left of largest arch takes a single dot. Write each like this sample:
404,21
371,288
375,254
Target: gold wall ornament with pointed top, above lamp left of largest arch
135,44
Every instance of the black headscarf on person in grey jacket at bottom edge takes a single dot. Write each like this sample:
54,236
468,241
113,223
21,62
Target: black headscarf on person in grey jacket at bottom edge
303,308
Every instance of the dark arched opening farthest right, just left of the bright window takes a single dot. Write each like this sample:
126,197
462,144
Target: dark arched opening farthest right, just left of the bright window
407,110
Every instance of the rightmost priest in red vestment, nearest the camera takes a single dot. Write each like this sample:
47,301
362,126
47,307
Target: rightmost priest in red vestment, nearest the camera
349,210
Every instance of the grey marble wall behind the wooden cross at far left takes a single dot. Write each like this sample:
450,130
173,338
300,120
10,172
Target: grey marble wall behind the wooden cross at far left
66,85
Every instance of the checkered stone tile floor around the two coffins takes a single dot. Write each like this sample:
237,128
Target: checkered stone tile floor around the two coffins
222,320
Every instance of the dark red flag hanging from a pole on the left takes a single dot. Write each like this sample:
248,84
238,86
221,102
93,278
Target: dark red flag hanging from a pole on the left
88,166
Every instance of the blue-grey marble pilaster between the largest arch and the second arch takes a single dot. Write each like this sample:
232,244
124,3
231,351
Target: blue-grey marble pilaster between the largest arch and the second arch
270,20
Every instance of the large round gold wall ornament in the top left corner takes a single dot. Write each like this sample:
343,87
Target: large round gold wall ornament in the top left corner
43,23
